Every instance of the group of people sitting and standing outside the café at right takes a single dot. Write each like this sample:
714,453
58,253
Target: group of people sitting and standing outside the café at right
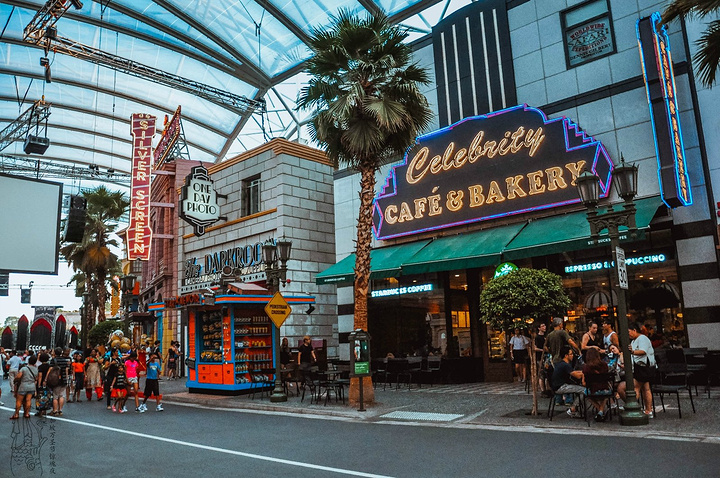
569,369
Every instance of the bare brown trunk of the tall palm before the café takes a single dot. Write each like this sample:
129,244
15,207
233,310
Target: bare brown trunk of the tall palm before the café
362,273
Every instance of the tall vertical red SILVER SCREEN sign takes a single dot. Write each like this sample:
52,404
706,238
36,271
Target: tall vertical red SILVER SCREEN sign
139,234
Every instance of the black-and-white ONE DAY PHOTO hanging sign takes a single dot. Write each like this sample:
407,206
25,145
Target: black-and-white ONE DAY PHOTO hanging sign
199,205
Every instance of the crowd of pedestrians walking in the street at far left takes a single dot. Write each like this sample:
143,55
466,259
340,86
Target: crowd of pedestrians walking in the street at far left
54,377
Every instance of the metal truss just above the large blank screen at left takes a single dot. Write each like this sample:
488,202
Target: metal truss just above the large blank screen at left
37,168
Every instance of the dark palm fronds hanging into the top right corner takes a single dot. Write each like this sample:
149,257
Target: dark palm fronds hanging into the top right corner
707,57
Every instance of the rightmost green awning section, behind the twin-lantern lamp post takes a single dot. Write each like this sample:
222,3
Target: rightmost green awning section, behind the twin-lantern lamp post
569,232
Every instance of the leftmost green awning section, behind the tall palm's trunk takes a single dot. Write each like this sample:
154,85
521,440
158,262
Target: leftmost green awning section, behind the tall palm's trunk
384,262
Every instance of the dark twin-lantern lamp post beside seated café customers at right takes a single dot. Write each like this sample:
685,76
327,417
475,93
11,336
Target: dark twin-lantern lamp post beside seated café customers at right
625,180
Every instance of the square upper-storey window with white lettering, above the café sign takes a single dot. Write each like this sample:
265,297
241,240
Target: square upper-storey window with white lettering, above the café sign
587,32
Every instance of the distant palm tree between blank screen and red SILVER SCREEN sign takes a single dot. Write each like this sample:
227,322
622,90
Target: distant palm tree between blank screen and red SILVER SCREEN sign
91,259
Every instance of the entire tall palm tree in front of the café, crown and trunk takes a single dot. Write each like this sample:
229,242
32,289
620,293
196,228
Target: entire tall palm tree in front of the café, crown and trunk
367,108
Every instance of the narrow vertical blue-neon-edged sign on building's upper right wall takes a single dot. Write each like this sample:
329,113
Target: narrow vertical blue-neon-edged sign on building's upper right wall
654,45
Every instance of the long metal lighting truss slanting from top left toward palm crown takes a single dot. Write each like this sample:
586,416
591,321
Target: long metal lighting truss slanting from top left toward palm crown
41,31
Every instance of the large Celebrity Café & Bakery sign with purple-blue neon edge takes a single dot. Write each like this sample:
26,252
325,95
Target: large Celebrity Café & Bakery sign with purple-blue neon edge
484,167
